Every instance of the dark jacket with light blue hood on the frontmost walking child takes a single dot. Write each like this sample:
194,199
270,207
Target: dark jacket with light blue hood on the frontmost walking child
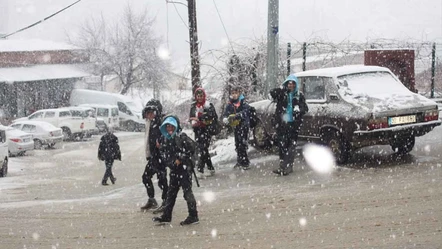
176,146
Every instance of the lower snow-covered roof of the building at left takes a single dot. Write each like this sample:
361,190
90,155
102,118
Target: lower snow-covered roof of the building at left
40,72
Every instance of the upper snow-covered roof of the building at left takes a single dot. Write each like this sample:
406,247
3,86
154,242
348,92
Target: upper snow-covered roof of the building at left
33,45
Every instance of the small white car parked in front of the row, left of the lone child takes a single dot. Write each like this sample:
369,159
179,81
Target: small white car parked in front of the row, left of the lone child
43,133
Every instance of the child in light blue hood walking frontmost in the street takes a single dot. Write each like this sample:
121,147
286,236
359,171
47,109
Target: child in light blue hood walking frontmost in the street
177,150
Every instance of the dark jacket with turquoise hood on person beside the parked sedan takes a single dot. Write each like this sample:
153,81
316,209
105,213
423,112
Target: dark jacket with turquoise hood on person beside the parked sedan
281,96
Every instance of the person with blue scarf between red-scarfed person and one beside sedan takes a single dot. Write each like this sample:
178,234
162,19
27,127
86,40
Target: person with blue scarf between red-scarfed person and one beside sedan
237,115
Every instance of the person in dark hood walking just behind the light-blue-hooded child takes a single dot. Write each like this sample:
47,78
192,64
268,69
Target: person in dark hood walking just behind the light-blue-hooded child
152,113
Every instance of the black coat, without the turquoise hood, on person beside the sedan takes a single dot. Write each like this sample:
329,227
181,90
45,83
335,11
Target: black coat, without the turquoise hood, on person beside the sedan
280,96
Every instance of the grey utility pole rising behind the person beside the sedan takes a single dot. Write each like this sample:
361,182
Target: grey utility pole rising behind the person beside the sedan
272,45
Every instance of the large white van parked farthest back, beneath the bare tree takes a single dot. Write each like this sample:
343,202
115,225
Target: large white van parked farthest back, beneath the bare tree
129,112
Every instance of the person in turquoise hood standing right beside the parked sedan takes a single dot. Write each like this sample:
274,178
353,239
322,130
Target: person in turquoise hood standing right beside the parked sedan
288,117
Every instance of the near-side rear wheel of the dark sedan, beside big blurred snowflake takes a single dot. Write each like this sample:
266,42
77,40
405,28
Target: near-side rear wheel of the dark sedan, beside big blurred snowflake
338,145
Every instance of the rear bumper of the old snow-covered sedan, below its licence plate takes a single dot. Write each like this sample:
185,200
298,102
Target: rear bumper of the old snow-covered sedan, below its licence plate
385,135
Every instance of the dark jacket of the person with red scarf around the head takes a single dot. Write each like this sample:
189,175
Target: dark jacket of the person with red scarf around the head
205,112
